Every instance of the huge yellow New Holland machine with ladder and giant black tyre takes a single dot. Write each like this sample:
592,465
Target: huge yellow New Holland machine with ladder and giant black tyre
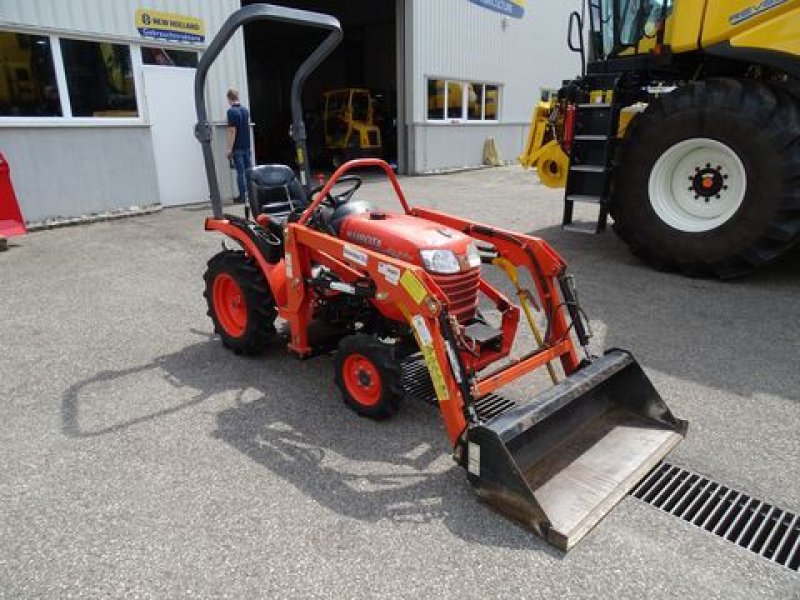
684,127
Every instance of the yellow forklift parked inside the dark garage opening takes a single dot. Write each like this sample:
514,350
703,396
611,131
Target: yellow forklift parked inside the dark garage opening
350,129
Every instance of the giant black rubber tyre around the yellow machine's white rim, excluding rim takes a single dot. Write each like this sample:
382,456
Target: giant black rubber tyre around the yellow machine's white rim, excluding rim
762,126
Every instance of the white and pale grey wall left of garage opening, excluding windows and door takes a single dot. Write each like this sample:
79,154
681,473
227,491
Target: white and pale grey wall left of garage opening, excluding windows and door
50,151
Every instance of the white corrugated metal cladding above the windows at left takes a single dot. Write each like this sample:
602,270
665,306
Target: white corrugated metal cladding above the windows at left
115,19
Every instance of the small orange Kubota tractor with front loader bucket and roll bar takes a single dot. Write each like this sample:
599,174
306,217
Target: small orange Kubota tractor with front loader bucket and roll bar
409,282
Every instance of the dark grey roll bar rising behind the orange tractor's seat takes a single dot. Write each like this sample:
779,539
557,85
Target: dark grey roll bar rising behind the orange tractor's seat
248,14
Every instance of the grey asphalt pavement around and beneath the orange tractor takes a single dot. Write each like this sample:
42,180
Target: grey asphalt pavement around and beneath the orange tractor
140,458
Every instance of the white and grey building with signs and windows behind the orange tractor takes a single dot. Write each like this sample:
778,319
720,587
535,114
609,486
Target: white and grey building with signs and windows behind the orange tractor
96,102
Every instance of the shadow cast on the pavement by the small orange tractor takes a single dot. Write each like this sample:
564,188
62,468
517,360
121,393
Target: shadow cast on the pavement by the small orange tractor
288,418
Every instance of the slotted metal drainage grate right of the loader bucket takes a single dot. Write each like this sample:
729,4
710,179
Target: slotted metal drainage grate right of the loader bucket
764,529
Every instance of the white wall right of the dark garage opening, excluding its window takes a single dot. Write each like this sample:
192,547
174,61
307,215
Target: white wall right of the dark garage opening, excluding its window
460,40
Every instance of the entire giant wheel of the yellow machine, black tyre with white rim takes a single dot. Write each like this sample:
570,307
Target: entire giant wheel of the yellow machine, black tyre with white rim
707,181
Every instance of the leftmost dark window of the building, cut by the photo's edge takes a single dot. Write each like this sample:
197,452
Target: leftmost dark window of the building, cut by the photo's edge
28,85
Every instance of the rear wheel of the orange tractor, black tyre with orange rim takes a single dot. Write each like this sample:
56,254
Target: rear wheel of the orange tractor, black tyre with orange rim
259,306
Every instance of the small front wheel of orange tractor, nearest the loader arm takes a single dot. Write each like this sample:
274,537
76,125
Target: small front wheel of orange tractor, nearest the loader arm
385,398
